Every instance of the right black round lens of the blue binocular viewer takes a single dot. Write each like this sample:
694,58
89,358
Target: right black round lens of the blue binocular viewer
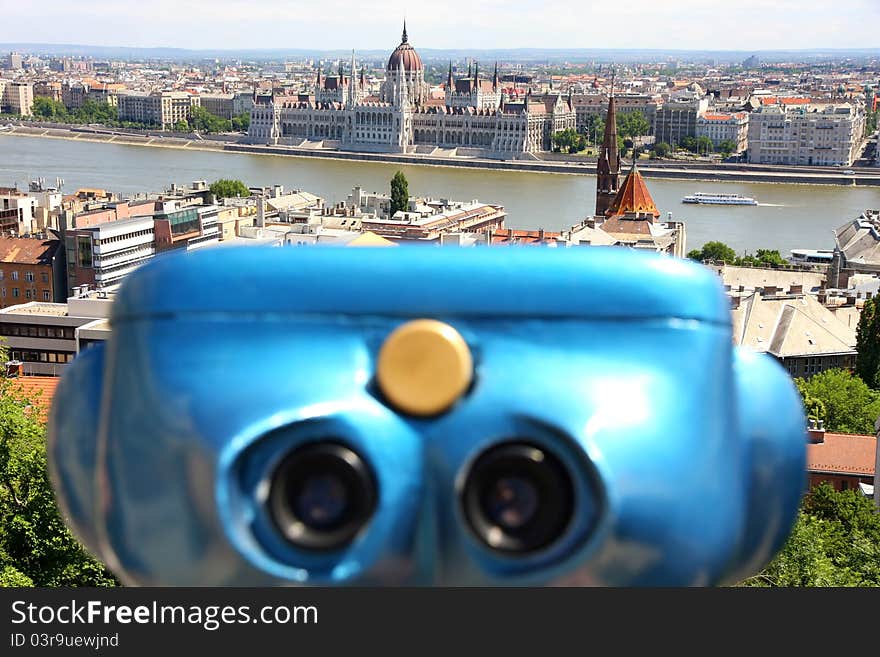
518,497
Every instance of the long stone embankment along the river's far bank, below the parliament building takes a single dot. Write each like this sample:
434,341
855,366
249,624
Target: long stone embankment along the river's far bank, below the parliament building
665,170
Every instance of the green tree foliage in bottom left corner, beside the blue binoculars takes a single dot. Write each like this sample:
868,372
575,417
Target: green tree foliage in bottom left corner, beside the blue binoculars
36,547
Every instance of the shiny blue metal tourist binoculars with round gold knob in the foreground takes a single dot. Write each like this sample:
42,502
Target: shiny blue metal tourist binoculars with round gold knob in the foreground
421,416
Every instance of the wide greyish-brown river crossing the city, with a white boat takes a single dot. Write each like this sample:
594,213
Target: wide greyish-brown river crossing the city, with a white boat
789,216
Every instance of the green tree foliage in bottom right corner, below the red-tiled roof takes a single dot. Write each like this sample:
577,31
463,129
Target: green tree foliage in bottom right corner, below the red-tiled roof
835,542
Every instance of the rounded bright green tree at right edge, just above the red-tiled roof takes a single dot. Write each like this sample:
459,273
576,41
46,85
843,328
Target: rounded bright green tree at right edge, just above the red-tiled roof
850,405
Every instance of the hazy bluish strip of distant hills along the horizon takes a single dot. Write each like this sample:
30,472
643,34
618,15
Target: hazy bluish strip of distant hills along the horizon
505,55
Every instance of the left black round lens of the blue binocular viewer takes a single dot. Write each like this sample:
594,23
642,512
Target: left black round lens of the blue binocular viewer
321,496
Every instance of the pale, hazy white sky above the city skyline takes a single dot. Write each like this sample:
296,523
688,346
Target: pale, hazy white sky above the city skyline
465,24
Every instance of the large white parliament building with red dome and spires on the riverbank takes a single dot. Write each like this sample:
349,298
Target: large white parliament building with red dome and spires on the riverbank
475,116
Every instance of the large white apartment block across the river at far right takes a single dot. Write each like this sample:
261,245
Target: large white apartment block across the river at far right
810,134
